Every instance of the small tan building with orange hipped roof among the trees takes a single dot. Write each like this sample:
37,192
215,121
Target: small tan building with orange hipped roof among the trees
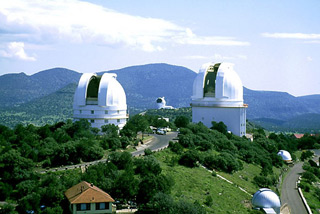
89,199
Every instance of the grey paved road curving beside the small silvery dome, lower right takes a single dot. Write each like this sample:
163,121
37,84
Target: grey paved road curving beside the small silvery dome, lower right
289,192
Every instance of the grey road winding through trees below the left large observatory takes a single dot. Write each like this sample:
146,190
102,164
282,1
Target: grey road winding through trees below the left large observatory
158,142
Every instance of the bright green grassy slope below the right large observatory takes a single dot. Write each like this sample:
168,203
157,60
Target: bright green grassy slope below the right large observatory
196,184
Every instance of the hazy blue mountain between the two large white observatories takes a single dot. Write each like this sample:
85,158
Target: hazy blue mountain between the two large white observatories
143,84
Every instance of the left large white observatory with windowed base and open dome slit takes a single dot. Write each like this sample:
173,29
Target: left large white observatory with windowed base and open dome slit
101,100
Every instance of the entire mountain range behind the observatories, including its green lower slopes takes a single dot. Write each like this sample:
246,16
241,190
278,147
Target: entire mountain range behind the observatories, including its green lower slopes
47,97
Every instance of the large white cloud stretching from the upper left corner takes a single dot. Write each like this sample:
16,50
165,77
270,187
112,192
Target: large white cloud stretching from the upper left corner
46,21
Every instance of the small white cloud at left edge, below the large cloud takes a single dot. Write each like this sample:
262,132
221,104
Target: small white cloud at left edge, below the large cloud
16,50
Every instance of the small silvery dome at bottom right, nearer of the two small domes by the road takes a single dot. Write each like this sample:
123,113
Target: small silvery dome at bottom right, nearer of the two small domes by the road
266,198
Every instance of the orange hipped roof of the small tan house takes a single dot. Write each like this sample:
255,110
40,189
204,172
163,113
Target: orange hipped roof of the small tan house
87,193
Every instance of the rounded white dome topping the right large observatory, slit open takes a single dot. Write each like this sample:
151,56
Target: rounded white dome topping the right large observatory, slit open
218,83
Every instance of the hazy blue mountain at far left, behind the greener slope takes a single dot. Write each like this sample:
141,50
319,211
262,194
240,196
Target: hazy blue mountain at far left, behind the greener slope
20,88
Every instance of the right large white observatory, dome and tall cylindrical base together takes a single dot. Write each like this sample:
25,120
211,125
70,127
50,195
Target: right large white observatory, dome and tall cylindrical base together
218,96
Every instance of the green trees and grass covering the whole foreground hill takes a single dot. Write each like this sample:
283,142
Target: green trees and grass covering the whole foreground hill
169,181
